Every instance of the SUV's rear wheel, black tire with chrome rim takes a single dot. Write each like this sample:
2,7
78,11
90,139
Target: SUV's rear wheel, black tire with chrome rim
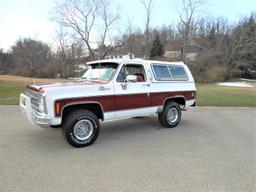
170,116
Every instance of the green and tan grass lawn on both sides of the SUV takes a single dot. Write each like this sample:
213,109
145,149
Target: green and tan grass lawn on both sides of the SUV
207,94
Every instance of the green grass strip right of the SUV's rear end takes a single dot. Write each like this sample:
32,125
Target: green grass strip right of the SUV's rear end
215,95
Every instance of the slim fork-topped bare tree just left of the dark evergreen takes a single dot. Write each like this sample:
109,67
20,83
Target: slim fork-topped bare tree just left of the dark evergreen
148,5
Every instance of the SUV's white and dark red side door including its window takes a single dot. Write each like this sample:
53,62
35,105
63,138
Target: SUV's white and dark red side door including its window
132,97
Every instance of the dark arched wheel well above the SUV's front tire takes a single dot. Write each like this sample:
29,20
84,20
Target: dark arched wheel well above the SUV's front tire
93,107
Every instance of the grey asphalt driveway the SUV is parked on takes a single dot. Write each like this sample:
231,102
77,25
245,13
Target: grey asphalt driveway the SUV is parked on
213,149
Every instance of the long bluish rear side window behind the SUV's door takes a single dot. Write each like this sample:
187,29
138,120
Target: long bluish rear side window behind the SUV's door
169,72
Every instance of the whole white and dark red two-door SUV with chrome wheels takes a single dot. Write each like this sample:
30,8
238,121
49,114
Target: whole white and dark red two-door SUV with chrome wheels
109,90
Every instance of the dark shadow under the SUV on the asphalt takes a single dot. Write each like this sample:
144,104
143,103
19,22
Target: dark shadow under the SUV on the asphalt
111,133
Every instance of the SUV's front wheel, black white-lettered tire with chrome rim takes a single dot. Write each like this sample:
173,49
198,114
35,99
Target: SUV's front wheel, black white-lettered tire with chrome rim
81,128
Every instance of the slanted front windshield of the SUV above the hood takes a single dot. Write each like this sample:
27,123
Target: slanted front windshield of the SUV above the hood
100,72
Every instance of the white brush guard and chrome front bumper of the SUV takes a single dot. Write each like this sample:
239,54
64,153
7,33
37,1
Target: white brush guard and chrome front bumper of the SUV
33,116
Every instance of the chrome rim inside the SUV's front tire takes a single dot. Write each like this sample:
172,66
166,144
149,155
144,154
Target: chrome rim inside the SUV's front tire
83,129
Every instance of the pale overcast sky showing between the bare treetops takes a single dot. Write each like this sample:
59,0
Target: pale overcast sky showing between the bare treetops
32,18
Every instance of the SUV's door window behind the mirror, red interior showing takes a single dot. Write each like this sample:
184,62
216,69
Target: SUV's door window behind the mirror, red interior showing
132,69
